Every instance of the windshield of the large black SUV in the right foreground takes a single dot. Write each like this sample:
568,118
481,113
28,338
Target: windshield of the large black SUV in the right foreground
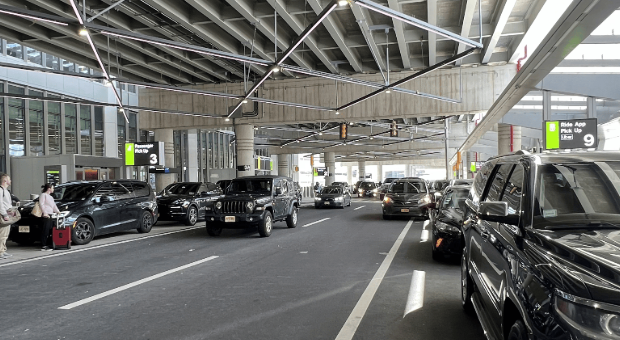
577,195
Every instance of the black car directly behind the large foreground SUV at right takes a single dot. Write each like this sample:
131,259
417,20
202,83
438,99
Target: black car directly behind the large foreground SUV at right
447,237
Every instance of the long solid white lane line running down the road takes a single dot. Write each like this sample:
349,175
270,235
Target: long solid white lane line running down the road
350,327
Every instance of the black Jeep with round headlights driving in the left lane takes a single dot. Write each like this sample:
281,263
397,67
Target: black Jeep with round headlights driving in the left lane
255,201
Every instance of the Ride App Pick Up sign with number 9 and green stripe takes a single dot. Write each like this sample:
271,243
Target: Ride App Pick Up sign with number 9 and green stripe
571,134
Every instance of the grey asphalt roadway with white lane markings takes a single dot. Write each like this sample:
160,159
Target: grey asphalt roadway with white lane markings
341,274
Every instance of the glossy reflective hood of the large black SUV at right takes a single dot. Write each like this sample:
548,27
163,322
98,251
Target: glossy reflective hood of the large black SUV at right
592,256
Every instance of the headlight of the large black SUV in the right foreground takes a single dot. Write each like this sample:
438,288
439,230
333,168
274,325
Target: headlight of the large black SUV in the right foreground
594,320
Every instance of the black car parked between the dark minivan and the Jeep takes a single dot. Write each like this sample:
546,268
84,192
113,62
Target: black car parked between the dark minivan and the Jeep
186,201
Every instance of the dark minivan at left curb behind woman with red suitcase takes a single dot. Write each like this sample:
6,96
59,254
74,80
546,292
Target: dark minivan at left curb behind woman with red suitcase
93,208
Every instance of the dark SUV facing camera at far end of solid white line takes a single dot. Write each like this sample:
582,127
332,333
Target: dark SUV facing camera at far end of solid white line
404,199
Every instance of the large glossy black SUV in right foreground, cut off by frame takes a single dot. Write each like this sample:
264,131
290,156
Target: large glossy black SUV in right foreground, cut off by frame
542,246
